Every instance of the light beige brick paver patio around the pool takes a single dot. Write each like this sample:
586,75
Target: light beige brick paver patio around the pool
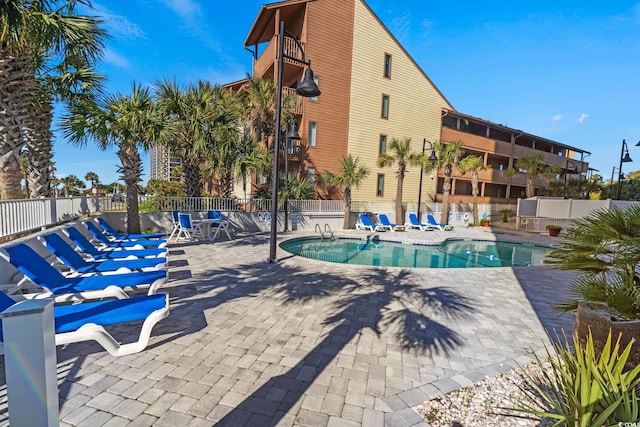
308,343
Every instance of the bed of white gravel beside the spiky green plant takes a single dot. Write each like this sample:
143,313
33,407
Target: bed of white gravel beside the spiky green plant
478,405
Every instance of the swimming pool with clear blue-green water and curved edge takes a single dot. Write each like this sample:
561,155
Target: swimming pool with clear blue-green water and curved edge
452,253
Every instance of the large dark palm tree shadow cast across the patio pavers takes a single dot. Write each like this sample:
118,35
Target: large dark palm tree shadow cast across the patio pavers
374,301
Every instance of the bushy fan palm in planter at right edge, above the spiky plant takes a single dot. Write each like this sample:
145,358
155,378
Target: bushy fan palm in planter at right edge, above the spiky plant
604,250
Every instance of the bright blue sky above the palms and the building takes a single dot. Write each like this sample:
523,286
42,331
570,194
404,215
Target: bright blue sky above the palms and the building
568,71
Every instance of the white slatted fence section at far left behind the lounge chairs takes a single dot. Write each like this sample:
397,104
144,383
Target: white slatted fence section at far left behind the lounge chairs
17,216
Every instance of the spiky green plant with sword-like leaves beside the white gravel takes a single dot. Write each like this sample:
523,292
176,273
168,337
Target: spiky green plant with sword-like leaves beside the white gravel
583,389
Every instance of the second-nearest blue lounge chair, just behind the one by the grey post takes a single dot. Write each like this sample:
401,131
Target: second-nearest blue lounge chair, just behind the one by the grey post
61,288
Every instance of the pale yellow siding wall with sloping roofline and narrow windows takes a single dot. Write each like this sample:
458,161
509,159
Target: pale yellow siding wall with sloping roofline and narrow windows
414,107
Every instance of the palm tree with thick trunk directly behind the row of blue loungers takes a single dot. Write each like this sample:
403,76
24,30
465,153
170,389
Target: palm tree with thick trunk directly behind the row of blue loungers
128,122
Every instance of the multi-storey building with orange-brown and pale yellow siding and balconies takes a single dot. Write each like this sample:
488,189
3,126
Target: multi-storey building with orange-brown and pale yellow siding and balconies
373,91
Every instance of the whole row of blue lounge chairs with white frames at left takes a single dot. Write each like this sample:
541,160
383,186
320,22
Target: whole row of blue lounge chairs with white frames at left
94,284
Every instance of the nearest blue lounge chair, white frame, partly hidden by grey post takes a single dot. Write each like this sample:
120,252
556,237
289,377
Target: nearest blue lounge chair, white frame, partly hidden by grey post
86,321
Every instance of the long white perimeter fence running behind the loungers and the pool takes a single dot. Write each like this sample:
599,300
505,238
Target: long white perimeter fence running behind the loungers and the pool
17,216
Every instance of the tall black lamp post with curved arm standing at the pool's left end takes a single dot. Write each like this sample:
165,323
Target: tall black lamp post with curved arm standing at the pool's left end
307,88
